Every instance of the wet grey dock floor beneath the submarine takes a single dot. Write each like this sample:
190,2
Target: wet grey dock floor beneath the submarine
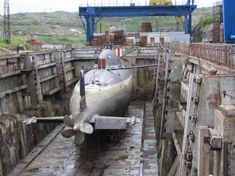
131,156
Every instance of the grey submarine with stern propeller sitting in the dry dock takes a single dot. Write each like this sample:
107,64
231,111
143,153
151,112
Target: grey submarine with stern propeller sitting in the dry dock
102,93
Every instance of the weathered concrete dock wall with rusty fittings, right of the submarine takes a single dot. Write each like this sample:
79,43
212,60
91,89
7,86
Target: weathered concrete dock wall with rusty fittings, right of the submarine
195,116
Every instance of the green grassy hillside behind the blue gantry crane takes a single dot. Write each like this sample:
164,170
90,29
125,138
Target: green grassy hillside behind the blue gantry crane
66,27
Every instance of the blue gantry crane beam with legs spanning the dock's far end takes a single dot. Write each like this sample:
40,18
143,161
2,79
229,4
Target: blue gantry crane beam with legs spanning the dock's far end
90,13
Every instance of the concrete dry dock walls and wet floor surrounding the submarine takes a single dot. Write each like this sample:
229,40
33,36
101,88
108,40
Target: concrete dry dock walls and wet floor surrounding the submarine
187,129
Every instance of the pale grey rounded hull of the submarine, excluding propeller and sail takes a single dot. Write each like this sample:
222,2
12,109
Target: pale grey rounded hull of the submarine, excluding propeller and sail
104,100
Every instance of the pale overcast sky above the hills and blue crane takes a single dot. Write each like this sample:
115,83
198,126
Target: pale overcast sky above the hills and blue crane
72,5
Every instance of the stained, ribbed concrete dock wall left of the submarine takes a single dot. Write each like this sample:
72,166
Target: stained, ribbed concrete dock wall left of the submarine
35,84
